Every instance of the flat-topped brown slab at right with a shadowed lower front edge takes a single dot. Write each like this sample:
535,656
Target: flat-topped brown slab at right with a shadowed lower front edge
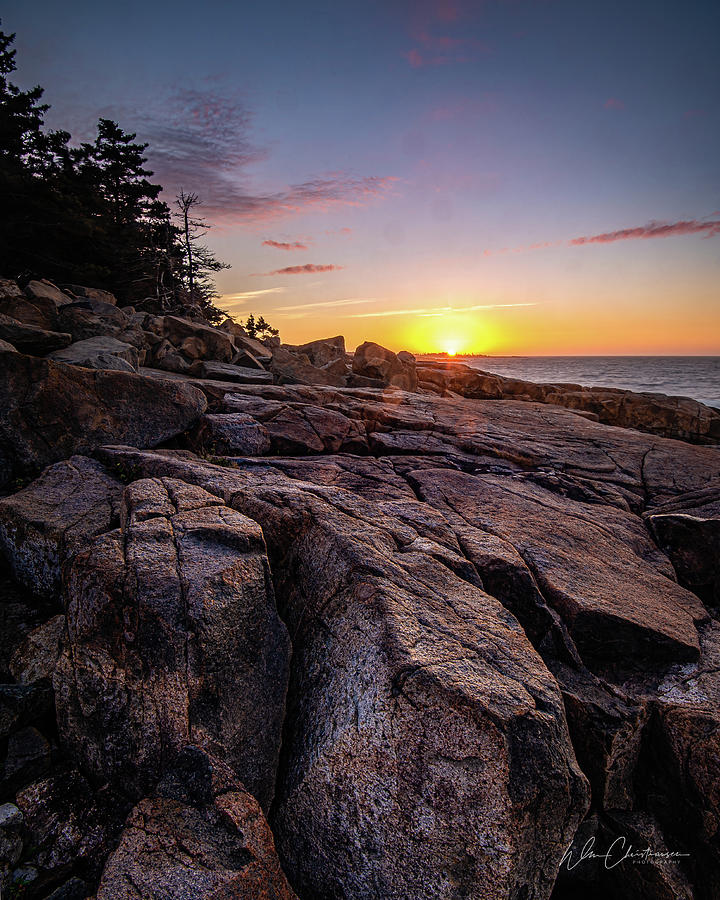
625,602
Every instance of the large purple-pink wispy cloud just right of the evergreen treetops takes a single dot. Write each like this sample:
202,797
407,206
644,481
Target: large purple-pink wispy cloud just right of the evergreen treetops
200,140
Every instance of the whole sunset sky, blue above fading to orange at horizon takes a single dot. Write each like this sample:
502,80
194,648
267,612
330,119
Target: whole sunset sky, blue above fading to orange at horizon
506,177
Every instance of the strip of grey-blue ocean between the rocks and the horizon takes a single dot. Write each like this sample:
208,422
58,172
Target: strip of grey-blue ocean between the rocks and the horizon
685,376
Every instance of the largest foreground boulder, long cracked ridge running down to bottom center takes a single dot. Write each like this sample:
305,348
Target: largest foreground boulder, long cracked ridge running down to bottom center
426,747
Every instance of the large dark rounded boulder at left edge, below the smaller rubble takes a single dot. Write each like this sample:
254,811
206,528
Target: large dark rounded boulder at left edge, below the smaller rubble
49,411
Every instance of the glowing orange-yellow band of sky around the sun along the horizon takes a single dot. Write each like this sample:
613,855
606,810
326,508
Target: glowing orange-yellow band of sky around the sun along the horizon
621,316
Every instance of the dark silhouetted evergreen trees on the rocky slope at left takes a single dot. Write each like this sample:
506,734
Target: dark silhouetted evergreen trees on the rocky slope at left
89,214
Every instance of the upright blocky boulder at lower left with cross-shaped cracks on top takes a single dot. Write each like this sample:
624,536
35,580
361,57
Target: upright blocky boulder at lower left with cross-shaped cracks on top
173,635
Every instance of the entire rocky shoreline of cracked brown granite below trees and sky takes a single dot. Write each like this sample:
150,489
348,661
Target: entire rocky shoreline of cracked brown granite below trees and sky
284,621
